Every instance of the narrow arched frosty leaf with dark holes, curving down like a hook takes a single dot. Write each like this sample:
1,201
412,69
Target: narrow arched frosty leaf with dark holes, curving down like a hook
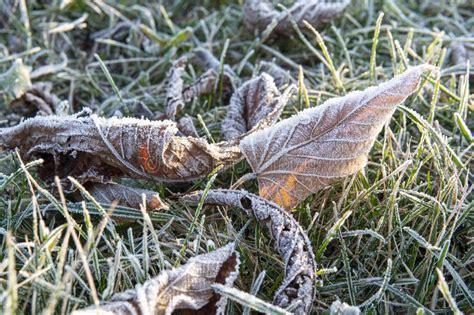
292,243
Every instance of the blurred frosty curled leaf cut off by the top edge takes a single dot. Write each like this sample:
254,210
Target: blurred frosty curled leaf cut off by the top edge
259,14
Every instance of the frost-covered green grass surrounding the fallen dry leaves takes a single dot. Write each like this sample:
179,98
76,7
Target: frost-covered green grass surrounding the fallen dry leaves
380,236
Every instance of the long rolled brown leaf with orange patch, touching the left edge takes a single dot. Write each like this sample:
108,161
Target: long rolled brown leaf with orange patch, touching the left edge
98,148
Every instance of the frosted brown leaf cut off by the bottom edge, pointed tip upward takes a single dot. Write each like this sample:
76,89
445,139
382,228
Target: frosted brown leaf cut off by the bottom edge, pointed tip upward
184,290
